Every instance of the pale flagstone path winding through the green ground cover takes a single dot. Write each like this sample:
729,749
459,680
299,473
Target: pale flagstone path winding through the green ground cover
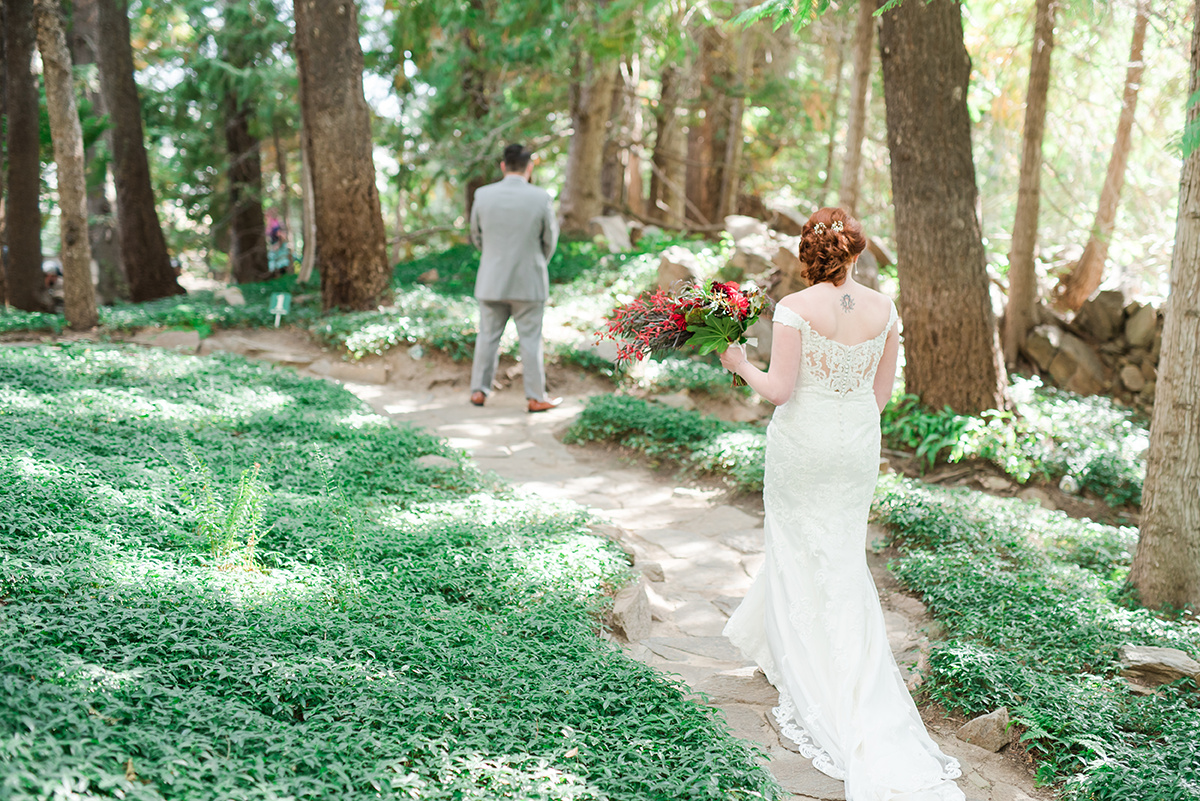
700,544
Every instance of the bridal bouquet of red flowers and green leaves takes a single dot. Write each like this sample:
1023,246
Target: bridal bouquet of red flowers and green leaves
706,317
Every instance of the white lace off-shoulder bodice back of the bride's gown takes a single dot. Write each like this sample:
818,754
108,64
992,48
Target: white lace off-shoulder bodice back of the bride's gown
833,365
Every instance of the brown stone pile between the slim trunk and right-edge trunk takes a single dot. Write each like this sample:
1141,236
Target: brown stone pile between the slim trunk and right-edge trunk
1109,348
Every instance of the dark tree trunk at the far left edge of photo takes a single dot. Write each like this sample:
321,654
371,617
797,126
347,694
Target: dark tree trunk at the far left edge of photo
26,280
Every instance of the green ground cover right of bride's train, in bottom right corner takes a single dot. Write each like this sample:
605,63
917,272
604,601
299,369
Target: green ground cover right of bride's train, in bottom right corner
1035,609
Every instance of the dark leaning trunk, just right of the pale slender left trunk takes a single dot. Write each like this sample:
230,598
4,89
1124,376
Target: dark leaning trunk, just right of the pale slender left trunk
143,248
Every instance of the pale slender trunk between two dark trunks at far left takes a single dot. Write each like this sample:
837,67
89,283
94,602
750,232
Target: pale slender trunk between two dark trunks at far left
80,299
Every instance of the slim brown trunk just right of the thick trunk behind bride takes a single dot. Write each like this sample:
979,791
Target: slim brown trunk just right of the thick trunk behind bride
1023,281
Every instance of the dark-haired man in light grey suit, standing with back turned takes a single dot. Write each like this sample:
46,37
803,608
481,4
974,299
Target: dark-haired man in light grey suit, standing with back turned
513,225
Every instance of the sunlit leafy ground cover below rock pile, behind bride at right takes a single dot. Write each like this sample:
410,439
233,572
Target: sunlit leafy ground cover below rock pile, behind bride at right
1051,435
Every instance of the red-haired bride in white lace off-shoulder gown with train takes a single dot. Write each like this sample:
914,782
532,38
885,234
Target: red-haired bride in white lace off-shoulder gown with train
812,619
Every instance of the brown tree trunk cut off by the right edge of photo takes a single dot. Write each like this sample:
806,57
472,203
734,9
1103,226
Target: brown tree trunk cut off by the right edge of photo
1167,567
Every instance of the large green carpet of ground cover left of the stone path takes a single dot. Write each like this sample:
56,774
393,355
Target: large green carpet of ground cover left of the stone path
399,629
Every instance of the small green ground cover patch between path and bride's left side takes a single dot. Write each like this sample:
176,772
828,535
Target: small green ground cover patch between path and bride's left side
695,442
